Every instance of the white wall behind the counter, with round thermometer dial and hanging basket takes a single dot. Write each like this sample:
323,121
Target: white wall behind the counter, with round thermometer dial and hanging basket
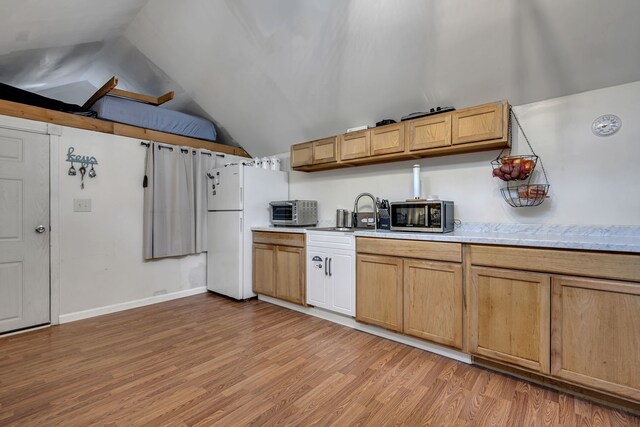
594,180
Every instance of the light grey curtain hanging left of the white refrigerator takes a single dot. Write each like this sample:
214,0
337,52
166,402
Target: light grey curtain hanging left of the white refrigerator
175,205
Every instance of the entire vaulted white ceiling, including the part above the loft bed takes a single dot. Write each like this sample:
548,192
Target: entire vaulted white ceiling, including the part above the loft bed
275,72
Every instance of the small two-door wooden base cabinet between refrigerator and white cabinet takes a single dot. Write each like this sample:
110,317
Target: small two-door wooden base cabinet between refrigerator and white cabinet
279,269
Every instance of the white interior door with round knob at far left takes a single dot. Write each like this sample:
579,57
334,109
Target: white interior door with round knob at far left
24,230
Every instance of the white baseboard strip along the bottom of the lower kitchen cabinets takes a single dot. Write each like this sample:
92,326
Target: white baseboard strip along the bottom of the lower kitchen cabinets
374,330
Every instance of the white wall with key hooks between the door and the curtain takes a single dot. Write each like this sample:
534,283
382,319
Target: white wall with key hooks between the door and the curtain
101,251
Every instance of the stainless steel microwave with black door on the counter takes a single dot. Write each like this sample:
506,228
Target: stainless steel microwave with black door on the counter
424,216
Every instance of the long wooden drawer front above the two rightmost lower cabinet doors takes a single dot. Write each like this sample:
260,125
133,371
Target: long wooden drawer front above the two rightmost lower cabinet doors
577,263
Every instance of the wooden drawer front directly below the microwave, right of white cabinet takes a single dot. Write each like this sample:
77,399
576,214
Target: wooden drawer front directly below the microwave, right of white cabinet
410,249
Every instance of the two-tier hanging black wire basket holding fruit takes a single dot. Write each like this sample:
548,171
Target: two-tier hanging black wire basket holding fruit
518,172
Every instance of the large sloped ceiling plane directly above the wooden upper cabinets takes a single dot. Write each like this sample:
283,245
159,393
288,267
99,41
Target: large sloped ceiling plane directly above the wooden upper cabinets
298,70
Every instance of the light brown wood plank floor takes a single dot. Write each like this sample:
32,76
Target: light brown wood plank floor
207,360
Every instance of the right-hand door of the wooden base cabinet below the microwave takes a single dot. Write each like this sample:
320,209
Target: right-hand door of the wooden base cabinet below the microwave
433,301
